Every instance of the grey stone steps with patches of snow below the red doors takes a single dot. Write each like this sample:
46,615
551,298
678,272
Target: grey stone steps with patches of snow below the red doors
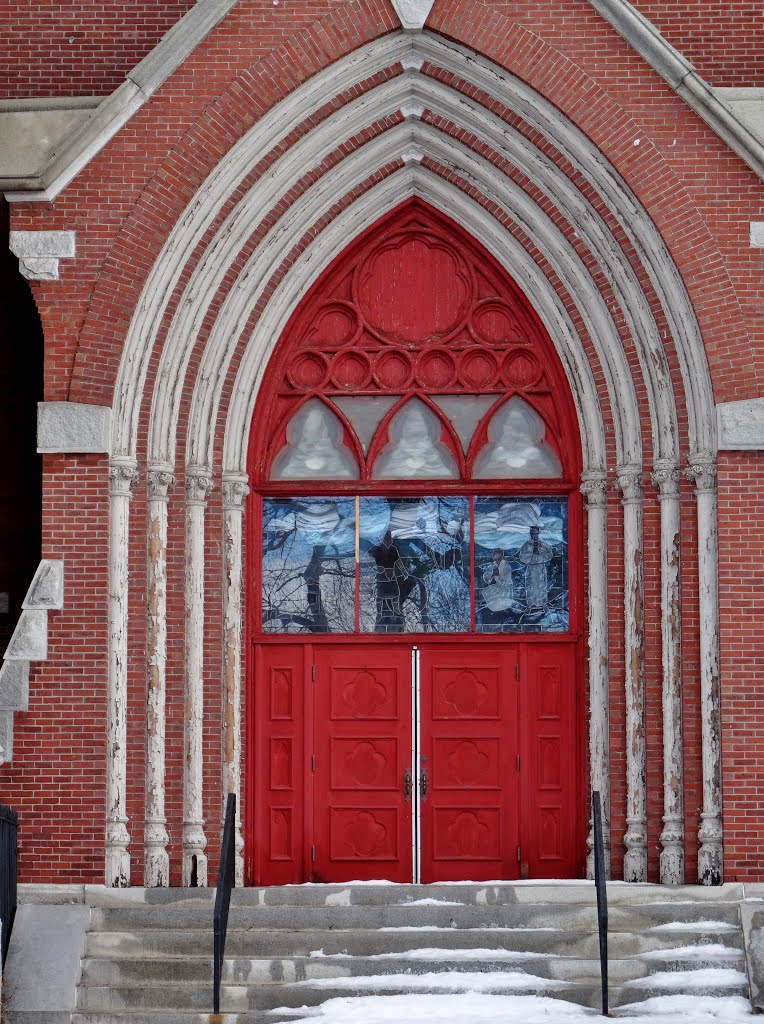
148,953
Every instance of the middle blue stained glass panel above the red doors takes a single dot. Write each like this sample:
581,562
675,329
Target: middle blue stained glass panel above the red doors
415,566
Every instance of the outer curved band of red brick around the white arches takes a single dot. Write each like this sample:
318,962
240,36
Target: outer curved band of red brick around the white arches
161,202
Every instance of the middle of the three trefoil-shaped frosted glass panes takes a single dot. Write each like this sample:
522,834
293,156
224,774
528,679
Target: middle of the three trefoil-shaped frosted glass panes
415,449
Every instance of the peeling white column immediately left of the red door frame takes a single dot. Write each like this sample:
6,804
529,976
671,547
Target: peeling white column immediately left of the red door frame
235,493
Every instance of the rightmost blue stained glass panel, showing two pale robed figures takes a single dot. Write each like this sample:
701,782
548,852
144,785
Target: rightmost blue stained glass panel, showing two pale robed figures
522,566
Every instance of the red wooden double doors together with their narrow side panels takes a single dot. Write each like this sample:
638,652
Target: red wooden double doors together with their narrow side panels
414,762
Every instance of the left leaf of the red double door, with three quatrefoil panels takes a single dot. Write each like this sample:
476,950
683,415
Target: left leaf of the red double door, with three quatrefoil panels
363,745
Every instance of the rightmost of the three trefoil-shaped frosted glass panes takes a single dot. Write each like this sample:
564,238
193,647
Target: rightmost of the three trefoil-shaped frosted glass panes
517,446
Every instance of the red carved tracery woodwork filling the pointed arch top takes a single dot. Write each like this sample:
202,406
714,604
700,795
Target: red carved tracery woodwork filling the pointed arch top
414,308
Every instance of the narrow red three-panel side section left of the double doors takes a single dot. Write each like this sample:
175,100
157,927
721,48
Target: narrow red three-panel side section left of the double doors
279,818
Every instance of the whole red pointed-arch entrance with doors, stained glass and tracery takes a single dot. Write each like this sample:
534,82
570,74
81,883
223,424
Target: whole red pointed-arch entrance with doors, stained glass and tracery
416,556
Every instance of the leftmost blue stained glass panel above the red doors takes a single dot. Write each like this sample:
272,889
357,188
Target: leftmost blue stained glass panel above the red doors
309,566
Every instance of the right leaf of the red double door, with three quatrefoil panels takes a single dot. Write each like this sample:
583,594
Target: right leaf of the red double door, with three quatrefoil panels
469,746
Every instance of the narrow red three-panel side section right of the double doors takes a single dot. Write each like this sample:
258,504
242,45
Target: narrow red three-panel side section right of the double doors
550,790
